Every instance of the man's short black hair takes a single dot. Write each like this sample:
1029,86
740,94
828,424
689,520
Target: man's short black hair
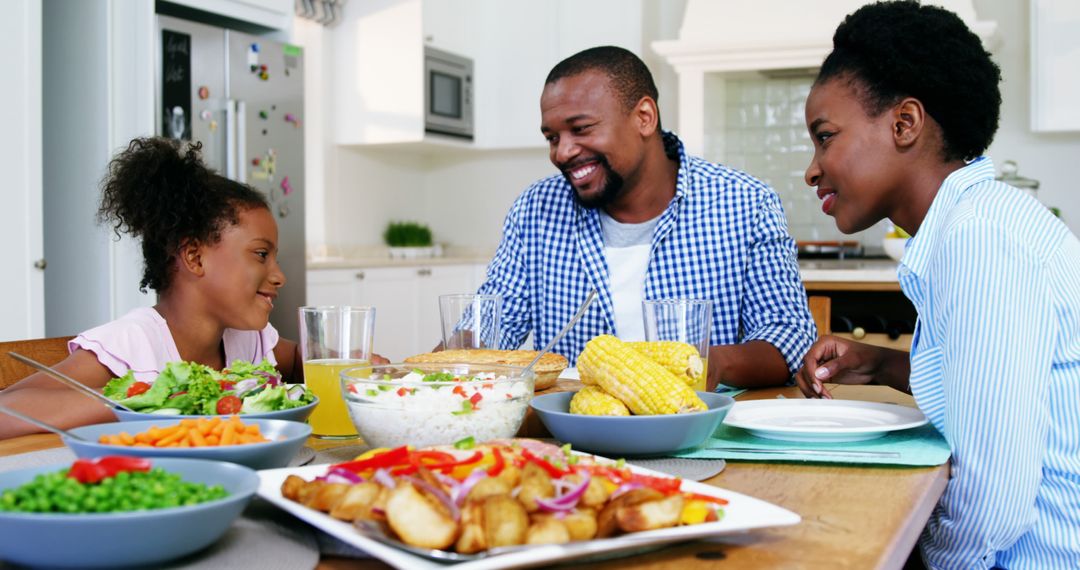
629,76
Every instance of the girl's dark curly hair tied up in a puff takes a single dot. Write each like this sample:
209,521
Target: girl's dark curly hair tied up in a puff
166,196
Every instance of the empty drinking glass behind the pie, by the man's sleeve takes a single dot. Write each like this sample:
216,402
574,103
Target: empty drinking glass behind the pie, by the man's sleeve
470,321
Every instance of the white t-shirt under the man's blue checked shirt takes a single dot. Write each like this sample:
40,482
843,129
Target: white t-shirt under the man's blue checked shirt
627,248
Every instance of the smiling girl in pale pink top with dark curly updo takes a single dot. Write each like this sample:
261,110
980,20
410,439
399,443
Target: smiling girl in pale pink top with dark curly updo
210,248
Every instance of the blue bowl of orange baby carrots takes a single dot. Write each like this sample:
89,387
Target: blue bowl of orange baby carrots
255,443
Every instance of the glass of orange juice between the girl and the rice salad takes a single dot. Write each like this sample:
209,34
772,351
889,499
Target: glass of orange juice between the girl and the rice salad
333,340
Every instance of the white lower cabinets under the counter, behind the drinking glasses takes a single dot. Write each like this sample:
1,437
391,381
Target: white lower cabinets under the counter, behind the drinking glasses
406,298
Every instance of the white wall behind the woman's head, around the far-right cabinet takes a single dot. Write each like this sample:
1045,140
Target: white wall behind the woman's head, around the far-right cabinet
1048,158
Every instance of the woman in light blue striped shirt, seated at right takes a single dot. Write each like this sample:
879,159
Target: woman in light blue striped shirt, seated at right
900,115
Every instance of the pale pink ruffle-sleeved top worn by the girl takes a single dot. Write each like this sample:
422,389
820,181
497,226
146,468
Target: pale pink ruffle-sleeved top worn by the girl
141,342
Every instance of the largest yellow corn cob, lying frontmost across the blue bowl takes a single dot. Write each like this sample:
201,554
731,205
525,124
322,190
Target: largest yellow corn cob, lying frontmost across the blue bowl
645,387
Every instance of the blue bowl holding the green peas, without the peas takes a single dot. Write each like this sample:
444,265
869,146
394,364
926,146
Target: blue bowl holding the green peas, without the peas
111,540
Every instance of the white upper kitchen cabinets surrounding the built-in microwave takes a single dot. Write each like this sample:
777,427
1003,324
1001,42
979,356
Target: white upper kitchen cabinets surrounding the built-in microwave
379,86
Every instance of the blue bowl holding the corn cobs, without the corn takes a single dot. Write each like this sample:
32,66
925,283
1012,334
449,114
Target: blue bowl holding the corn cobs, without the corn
631,436
